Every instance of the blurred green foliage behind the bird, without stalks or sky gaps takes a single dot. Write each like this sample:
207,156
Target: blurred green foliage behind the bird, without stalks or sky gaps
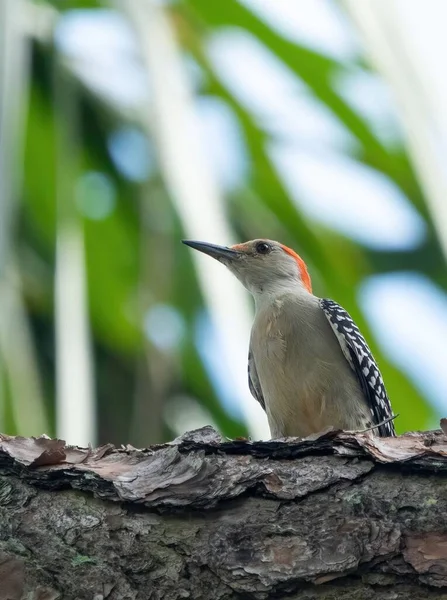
126,274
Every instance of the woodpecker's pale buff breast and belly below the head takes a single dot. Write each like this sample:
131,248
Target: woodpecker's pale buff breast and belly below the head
302,371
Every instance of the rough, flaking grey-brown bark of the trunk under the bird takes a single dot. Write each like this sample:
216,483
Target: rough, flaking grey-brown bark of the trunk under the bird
336,516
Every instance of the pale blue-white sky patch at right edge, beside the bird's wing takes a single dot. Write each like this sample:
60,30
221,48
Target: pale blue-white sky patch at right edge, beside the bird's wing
409,314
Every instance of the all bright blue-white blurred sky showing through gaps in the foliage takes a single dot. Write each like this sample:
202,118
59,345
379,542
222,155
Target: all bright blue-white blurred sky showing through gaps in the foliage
407,312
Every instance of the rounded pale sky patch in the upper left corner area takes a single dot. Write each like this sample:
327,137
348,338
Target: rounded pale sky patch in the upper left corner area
105,54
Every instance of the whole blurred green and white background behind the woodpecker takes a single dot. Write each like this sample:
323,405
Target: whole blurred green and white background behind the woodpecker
126,126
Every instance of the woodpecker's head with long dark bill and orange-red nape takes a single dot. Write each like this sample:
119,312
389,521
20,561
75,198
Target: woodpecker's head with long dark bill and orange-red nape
262,266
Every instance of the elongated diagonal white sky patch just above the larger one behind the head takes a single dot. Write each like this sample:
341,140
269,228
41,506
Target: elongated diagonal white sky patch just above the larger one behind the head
264,85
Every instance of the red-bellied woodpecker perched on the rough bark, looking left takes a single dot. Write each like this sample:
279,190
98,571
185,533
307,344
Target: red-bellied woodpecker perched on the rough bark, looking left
308,364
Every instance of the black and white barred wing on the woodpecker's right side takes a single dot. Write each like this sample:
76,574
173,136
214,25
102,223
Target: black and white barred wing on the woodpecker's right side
362,362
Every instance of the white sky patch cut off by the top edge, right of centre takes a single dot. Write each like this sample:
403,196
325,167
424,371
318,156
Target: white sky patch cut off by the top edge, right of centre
317,24
